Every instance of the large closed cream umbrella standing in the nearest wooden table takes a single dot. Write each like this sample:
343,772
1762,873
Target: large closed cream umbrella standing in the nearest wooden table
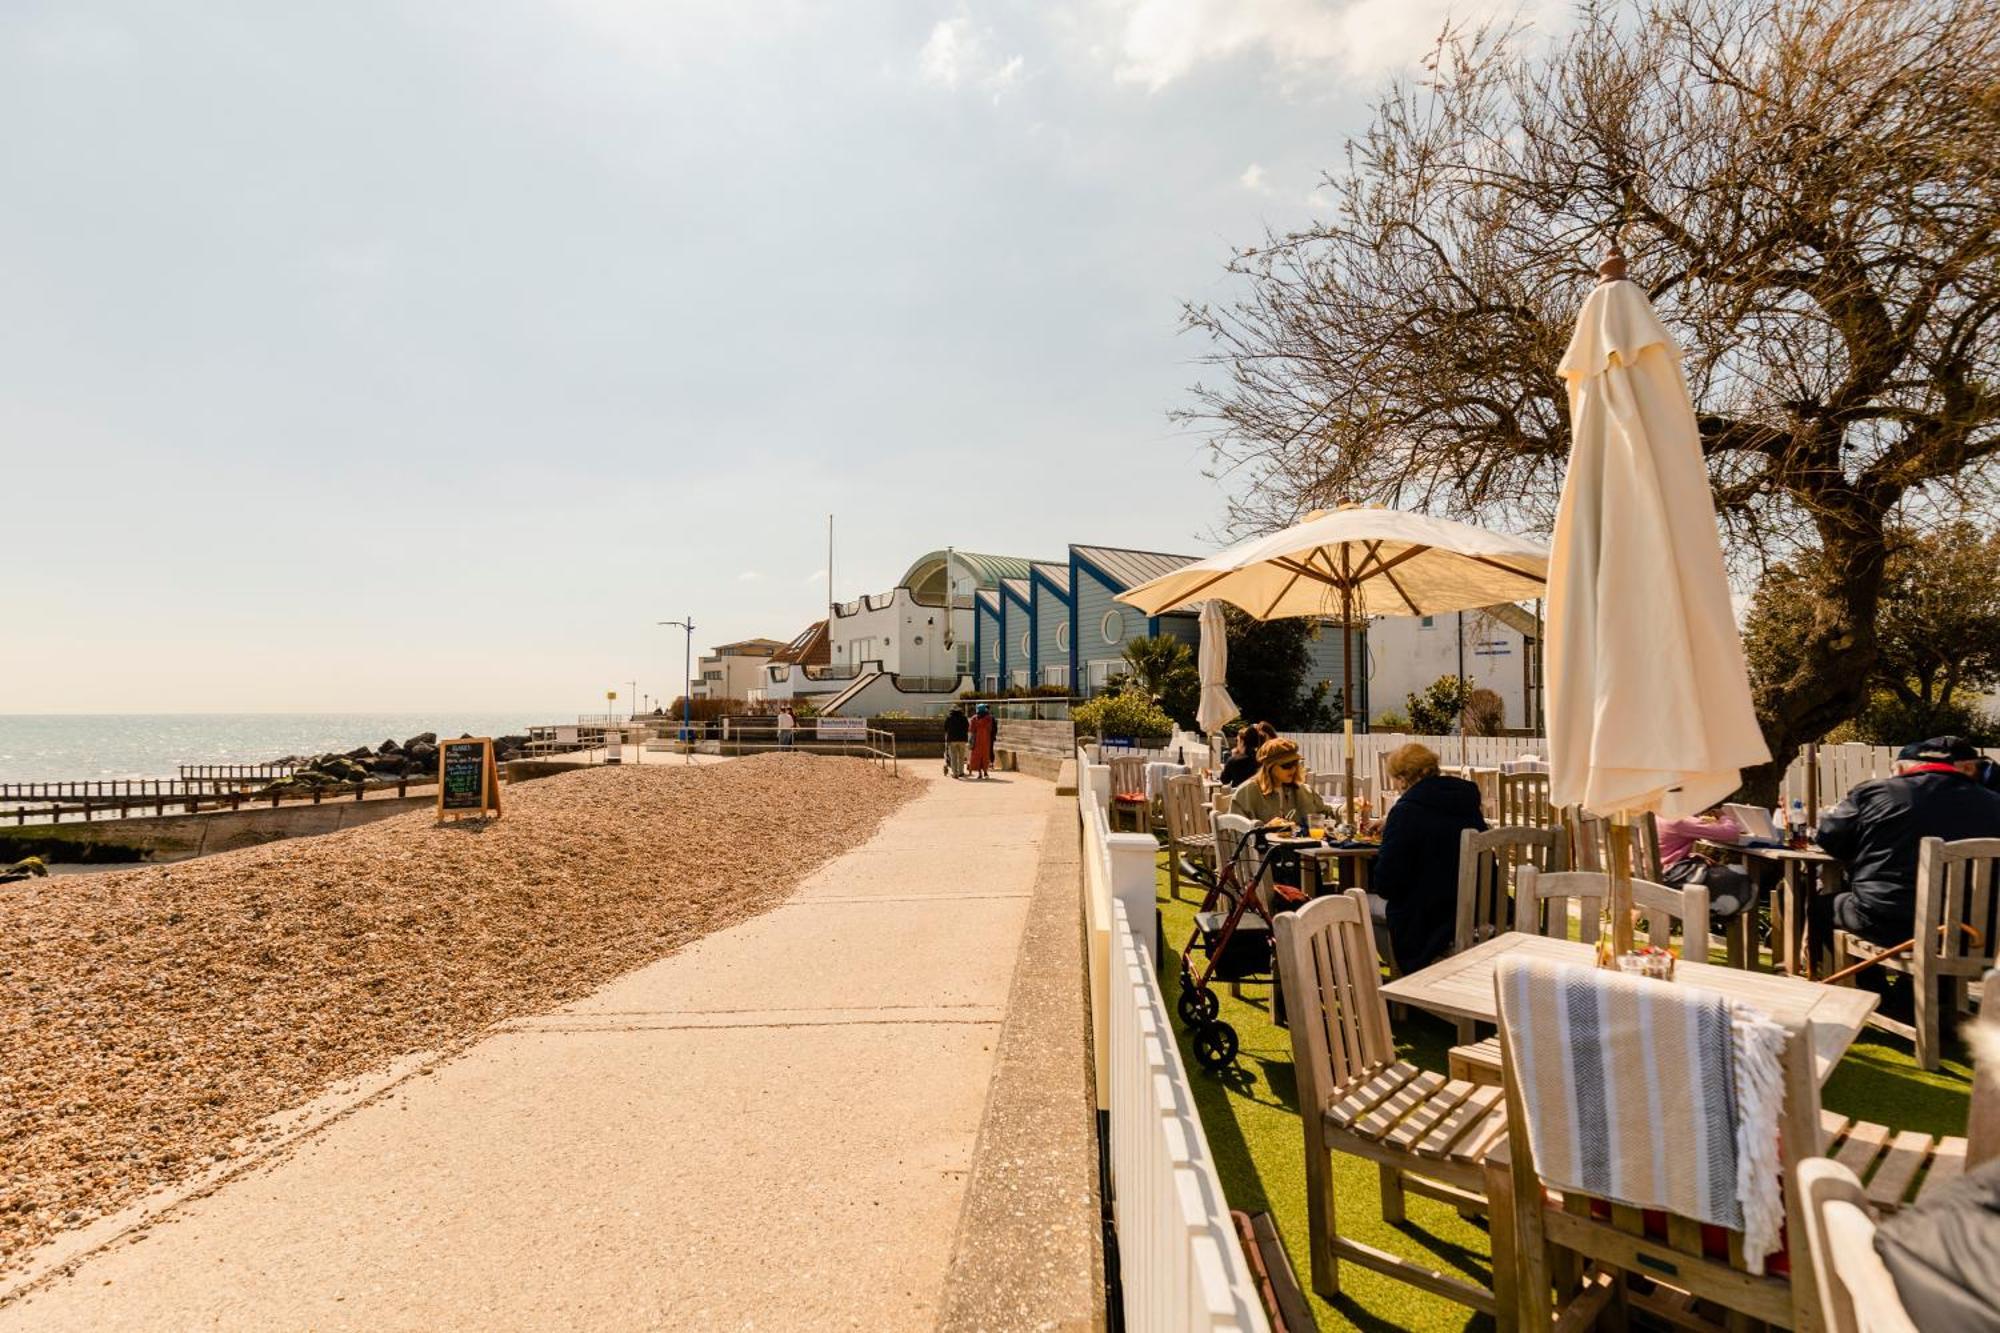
1649,700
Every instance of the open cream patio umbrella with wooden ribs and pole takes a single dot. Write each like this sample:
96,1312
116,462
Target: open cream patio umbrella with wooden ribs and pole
1357,559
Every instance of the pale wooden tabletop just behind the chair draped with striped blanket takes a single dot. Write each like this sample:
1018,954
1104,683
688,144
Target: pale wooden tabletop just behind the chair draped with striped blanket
1463,988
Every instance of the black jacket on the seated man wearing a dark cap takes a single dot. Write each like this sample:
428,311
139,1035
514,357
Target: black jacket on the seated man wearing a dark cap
1879,828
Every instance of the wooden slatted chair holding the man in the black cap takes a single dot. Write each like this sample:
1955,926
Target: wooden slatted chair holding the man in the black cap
1955,888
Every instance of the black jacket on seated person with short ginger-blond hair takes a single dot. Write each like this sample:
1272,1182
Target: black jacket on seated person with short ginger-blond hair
1417,868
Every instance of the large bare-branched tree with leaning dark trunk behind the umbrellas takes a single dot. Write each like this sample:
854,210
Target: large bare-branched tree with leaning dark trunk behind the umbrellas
1811,195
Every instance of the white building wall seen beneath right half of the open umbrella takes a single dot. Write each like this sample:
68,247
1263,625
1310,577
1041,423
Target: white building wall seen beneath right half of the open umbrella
1503,651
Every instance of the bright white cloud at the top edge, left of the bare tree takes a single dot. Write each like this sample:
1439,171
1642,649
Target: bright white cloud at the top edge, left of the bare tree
1161,41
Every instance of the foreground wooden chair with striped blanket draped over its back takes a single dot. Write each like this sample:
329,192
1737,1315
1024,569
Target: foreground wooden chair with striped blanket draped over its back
1583,1246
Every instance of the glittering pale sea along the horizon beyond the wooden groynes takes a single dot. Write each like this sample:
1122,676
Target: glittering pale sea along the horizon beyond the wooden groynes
51,748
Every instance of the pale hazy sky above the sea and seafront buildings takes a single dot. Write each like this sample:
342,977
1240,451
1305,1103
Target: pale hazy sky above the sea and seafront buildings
393,357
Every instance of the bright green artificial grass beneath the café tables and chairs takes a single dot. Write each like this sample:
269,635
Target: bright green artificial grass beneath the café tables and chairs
1251,1118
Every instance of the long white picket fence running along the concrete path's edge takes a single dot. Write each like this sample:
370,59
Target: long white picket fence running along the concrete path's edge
1181,1264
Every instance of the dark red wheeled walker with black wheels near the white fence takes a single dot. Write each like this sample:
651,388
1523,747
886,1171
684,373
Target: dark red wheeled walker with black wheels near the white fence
1233,934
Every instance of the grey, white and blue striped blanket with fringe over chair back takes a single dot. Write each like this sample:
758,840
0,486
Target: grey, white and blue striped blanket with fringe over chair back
1649,1094
